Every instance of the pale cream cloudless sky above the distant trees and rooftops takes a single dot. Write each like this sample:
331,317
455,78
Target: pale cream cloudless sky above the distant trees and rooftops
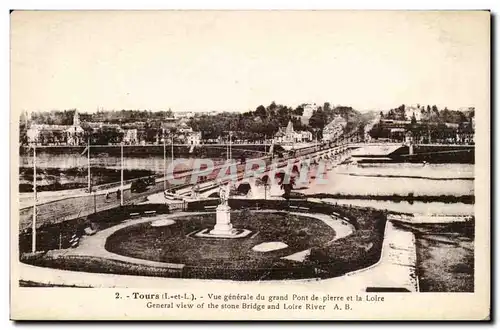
235,61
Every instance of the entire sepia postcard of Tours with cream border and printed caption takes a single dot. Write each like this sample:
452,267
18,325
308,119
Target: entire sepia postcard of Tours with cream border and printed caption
250,164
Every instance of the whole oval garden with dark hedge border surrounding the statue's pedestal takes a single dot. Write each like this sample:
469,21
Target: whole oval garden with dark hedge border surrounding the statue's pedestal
282,245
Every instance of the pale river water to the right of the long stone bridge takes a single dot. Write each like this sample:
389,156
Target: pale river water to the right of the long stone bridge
400,179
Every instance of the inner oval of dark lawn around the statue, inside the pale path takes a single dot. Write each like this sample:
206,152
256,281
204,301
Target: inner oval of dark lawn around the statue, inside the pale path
173,244
